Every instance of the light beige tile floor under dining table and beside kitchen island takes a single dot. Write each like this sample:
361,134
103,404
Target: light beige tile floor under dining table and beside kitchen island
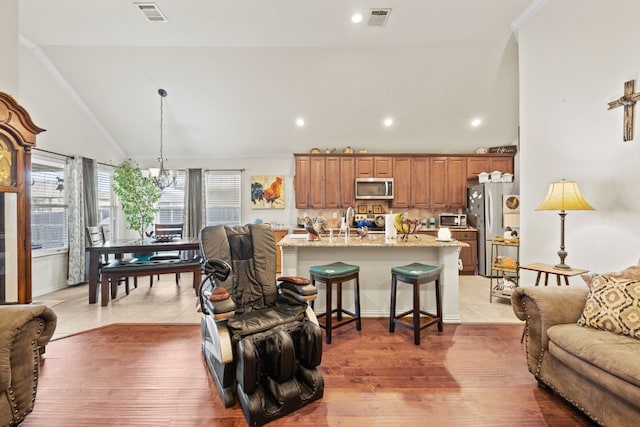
166,302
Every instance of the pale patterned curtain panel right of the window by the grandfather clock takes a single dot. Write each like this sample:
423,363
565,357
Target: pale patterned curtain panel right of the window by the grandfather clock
75,203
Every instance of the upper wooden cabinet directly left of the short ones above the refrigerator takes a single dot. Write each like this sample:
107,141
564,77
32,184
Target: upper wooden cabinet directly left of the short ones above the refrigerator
448,186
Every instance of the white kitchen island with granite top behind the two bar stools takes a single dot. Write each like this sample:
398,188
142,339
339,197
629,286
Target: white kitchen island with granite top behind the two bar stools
375,255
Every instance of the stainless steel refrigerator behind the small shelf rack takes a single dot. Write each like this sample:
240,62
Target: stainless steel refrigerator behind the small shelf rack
484,212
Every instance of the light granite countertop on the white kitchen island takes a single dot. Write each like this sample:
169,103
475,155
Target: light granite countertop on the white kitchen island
371,240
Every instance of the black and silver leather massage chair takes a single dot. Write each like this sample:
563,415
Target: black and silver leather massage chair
261,340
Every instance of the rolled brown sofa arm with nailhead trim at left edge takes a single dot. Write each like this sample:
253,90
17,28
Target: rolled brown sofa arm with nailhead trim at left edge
24,331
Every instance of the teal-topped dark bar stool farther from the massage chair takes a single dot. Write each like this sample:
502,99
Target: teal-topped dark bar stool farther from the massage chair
415,274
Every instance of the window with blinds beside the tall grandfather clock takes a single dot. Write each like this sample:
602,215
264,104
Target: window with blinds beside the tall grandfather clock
49,228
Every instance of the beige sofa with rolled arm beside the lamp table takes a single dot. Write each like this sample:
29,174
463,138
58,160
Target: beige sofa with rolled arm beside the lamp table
595,370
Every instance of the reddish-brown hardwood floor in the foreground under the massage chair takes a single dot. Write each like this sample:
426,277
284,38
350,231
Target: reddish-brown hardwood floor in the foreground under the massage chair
154,375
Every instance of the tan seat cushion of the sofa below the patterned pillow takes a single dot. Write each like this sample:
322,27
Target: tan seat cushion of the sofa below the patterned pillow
610,360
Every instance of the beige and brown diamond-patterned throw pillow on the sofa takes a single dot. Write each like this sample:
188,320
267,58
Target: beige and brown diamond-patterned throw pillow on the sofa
613,305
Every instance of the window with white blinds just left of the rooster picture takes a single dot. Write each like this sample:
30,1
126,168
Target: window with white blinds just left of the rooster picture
222,198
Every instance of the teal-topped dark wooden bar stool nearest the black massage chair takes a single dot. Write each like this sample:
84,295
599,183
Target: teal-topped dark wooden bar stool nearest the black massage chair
331,274
